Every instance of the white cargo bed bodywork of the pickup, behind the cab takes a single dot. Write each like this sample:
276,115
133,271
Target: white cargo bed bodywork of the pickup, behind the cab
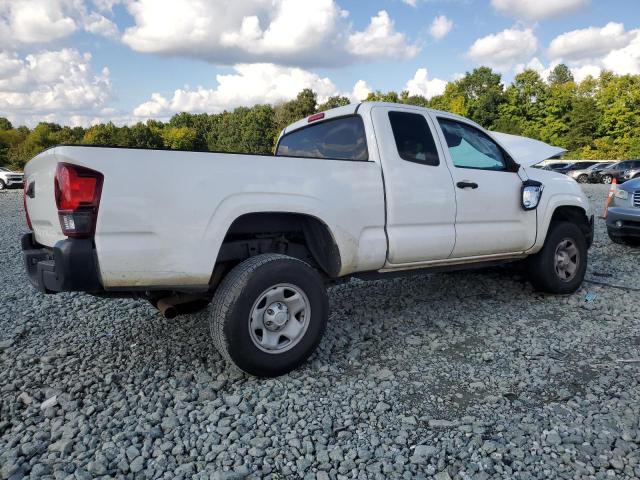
164,214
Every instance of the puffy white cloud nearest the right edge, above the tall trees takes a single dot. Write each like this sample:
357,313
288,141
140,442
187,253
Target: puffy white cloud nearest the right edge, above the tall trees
589,42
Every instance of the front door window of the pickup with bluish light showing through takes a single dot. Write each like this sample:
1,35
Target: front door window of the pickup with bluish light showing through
470,147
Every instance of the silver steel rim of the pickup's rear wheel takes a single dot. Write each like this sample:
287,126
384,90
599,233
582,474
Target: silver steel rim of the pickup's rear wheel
279,318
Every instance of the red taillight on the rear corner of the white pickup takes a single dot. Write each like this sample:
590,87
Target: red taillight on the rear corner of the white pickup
77,191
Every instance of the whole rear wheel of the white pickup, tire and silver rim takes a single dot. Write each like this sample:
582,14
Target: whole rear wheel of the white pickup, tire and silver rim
269,314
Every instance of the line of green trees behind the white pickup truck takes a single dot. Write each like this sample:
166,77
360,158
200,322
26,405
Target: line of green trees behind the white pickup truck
597,118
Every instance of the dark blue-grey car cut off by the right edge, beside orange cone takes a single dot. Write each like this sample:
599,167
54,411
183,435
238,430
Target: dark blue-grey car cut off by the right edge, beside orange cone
623,214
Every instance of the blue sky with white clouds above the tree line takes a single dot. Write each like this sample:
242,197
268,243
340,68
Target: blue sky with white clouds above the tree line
80,62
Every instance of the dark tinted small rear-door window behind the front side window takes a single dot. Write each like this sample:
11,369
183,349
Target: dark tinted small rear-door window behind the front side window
413,137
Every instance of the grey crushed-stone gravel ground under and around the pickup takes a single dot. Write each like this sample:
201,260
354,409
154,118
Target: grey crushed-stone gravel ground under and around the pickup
462,375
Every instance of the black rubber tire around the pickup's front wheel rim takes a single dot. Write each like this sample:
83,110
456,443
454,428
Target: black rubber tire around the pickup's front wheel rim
541,267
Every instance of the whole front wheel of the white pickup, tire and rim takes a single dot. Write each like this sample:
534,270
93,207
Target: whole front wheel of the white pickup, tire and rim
561,264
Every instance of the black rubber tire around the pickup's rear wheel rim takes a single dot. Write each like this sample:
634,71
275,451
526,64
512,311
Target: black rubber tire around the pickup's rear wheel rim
236,297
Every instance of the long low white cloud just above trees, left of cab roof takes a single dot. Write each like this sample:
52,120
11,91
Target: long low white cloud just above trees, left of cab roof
249,85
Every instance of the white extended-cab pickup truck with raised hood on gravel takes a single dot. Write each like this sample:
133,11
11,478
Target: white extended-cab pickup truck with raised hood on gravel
361,190
